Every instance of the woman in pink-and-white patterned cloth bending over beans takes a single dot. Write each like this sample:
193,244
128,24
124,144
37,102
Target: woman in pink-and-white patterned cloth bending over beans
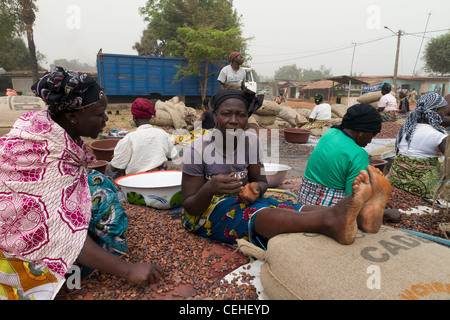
53,213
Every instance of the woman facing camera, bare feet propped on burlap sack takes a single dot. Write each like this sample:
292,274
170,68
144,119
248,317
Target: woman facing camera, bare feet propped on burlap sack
223,186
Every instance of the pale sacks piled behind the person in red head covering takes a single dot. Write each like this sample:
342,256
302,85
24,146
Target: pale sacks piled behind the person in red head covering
172,113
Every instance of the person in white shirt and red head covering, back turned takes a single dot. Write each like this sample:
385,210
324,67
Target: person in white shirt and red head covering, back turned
146,149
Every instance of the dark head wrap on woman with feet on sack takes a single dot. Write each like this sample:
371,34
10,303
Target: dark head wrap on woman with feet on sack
252,101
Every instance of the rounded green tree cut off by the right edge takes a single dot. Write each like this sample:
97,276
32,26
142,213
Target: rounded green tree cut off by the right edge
437,55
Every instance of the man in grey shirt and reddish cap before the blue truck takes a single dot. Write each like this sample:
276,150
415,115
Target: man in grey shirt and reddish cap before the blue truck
233,75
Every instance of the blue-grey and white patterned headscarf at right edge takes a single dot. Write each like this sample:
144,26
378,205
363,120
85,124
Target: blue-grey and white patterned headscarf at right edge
425,109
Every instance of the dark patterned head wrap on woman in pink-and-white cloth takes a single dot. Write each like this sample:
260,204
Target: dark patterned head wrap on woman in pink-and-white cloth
67,91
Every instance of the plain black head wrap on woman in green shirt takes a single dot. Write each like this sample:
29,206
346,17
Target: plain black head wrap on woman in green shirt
361,117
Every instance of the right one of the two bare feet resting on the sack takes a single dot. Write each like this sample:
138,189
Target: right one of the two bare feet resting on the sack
371,216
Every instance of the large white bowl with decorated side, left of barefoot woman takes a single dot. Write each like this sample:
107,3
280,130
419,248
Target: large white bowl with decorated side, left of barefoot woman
158,189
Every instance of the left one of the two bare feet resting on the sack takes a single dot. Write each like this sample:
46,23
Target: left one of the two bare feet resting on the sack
347,210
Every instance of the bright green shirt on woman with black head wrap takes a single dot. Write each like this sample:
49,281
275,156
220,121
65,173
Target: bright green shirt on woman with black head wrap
336,161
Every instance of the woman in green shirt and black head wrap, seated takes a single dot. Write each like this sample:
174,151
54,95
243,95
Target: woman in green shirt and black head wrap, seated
339,157
